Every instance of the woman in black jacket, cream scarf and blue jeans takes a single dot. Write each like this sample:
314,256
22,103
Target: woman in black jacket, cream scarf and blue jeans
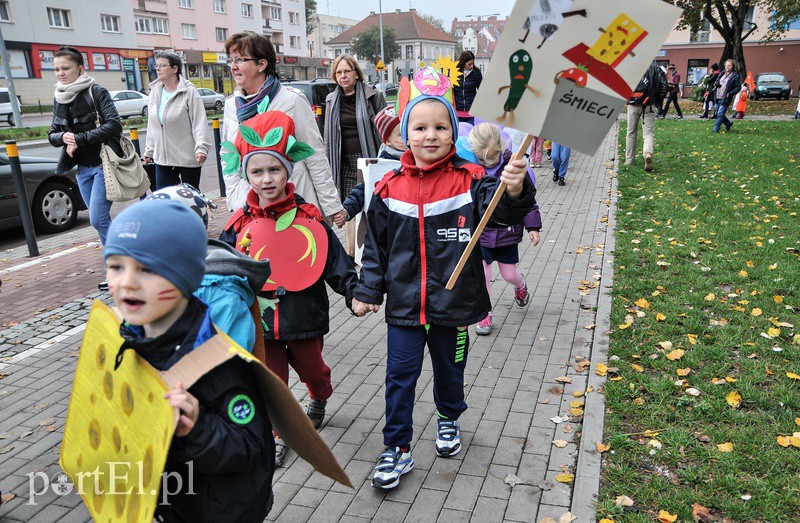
78,99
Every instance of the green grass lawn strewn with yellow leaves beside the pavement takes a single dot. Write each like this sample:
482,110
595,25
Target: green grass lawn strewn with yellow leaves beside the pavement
708,261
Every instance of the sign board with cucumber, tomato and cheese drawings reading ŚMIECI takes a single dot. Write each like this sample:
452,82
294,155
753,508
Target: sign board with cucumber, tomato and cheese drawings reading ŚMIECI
564,69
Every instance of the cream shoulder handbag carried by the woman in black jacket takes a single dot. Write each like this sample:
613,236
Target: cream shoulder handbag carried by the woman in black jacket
124,175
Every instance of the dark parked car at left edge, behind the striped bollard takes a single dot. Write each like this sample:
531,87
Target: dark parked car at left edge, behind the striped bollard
55,200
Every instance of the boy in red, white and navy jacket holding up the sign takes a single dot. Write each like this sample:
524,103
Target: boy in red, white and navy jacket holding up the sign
420,220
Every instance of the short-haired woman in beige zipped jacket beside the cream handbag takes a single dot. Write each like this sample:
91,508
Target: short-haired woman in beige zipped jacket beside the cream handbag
177,130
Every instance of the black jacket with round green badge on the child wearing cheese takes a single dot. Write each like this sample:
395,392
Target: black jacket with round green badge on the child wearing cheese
226,462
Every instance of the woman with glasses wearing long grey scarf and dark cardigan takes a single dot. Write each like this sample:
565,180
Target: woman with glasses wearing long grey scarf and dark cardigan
350,131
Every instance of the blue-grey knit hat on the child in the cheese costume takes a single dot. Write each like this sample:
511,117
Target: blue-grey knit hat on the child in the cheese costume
166,237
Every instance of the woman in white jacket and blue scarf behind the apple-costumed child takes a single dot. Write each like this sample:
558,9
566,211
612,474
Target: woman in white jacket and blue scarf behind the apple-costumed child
252,60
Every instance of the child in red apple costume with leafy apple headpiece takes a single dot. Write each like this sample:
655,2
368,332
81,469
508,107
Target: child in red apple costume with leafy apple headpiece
304,253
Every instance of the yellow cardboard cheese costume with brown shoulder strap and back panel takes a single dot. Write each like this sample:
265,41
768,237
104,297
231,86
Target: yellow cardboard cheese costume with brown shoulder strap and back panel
119,419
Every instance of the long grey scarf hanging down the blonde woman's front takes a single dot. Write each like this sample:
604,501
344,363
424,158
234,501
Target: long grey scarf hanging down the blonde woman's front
333,130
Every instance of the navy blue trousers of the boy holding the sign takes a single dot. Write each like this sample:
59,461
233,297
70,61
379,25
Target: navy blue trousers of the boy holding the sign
448,348
